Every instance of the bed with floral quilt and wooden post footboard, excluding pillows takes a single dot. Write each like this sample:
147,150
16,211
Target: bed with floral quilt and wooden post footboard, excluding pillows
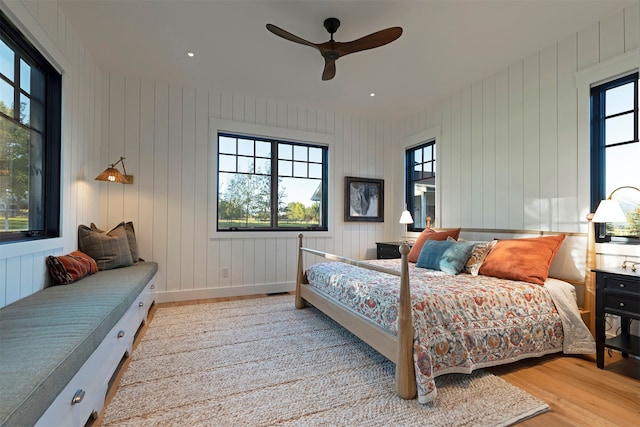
430,323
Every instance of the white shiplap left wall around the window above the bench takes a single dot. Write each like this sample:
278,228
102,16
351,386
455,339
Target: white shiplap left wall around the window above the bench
22,265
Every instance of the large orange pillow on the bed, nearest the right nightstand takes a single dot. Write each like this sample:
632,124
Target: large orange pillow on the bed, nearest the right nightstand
527,260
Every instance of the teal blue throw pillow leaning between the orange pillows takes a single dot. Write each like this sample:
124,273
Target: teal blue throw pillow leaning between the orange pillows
444,255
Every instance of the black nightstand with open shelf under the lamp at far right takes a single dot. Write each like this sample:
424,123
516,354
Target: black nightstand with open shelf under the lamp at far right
618,293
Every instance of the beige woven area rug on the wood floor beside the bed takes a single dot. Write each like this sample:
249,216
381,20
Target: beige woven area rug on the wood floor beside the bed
262,362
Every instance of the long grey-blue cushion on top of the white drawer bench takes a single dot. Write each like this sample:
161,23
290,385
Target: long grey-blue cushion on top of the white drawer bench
46,337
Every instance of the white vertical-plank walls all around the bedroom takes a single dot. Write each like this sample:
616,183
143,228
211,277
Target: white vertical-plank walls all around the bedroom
508,158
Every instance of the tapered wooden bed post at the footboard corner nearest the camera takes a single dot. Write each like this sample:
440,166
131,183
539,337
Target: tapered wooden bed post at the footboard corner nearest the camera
405,374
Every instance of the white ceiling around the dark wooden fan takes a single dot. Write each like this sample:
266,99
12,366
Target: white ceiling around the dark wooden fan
446,45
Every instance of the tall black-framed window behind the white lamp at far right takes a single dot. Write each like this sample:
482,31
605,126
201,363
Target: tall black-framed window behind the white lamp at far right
615,154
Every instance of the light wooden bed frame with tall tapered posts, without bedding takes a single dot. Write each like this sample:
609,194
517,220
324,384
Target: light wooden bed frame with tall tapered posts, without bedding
399,349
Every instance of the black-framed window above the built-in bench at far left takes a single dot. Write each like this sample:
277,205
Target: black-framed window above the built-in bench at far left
30,120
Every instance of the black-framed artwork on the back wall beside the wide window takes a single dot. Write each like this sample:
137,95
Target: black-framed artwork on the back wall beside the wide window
364,199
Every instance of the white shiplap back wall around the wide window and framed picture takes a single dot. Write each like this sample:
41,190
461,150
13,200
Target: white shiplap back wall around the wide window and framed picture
163,131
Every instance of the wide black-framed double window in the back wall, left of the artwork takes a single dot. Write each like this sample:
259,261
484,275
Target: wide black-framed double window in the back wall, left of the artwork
269,185
